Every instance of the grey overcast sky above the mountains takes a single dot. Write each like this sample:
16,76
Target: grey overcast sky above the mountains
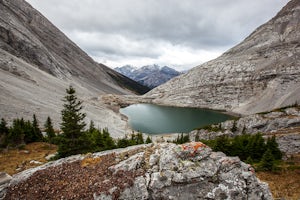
178,33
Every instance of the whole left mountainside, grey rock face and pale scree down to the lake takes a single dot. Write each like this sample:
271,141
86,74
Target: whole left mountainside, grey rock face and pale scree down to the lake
38,62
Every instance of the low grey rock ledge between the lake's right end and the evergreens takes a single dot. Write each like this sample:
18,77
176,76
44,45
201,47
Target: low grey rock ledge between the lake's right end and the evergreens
284,123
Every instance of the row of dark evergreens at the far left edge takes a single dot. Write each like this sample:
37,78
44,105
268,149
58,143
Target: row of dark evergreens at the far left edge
20,132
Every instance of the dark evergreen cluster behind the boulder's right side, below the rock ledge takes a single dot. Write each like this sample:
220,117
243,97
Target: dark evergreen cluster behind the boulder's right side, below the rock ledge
249,148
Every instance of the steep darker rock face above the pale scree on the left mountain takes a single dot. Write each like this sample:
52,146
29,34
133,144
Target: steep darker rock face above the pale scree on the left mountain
25,33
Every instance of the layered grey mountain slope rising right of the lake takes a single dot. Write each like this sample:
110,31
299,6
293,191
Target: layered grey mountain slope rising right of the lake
259,74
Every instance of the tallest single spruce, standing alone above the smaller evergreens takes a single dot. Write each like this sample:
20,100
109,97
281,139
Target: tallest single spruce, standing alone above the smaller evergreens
73,138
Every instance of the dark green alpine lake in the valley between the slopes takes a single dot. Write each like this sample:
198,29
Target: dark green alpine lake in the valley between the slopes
156,119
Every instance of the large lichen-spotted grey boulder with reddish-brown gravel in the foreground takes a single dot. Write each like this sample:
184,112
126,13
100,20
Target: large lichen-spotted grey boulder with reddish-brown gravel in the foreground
153,171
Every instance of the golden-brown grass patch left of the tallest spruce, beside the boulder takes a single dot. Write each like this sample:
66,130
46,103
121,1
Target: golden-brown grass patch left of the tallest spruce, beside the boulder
13,159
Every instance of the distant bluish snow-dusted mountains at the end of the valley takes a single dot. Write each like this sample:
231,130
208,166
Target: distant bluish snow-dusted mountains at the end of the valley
150,75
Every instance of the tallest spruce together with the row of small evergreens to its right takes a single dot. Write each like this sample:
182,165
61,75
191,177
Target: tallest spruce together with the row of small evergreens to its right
76,140
